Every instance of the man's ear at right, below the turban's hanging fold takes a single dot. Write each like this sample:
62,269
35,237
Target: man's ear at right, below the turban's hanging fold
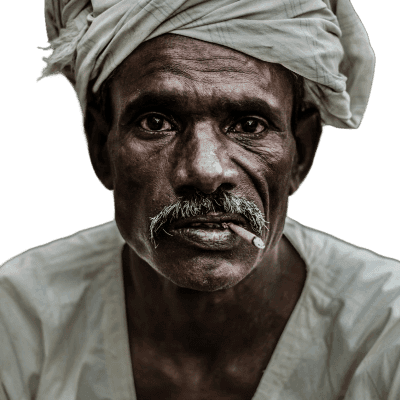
308,136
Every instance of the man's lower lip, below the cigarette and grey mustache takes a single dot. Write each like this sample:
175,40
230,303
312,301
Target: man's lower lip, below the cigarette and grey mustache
207,238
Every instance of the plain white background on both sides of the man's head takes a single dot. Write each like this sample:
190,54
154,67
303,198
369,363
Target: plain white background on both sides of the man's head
48,188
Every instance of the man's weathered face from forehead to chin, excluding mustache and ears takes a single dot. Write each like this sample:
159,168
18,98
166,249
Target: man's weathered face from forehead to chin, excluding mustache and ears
193,118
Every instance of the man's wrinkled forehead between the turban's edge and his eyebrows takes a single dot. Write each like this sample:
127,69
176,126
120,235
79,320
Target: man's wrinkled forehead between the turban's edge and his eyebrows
188,67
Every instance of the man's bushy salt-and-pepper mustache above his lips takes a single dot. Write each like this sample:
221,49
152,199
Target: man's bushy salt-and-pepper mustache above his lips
200,203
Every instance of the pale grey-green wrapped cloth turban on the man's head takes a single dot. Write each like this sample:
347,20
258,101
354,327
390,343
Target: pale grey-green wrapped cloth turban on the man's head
322,40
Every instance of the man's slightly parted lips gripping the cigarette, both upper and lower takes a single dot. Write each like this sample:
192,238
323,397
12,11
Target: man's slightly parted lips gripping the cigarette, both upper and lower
208,231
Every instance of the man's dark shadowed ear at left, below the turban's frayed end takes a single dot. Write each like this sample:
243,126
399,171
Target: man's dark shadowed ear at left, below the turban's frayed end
97,130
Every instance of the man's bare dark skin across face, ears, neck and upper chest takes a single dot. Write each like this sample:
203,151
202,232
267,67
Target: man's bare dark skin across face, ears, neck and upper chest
202,323
